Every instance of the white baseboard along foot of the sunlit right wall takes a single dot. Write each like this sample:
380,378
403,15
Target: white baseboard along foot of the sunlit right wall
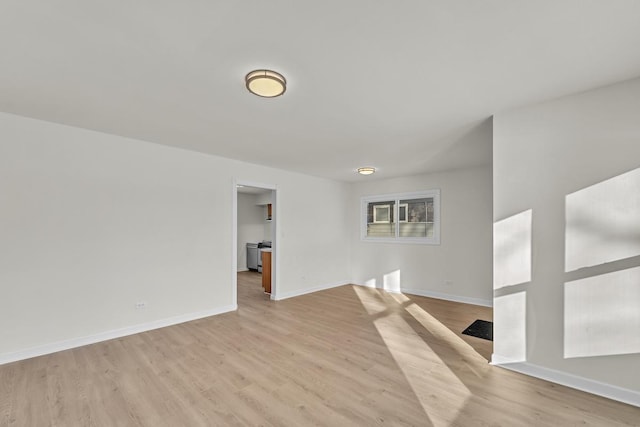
609,391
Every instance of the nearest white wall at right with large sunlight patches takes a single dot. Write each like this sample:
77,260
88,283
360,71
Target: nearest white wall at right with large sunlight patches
572,164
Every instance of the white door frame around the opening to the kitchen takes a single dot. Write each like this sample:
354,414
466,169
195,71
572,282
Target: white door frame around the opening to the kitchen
234,237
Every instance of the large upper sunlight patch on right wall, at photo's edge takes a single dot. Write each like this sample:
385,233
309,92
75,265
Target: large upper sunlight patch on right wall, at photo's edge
603,222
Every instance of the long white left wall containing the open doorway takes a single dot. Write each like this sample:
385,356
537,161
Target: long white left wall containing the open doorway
93,223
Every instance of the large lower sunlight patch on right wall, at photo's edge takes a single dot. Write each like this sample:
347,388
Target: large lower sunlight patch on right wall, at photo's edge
602,315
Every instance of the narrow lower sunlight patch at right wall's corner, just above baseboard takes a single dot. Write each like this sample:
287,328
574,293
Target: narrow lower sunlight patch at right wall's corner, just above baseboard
510,327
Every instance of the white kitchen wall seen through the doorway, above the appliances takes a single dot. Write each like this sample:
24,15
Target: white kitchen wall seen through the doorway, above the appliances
251,225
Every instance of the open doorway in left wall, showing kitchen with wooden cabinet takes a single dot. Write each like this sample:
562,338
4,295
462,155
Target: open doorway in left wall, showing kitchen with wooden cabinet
254,245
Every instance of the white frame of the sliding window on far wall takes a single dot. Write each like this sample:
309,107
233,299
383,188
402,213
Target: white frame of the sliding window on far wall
396,197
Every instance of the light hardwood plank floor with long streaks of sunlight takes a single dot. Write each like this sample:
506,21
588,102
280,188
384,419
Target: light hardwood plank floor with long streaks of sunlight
345,356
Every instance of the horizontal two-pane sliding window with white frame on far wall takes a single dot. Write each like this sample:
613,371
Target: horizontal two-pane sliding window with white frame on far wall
406,217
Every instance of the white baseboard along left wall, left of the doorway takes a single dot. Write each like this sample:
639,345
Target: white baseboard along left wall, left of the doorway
41,350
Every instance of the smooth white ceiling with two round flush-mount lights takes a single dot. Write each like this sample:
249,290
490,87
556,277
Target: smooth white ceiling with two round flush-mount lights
392,84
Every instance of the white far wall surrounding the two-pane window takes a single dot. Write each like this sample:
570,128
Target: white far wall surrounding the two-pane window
460,267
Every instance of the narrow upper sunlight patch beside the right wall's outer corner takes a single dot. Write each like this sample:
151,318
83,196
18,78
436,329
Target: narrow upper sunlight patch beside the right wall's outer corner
512,250
